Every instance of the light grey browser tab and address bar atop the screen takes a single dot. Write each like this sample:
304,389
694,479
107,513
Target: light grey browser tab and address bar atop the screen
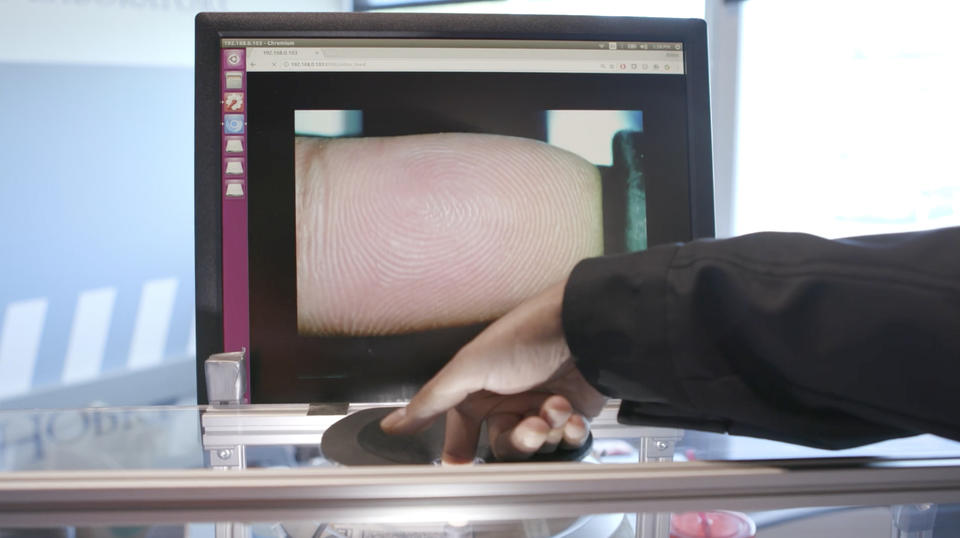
275,59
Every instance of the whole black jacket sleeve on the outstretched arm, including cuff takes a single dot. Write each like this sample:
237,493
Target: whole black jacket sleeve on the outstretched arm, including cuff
783,336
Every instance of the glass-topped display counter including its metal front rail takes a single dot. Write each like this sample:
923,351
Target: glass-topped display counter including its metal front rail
260,471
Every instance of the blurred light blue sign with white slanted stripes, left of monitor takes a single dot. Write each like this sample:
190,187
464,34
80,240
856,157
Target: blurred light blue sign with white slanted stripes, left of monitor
96,199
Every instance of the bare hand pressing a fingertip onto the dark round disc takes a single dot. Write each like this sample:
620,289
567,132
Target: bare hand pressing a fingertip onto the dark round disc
519,377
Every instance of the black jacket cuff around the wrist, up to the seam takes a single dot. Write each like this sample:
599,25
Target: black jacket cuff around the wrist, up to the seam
615,323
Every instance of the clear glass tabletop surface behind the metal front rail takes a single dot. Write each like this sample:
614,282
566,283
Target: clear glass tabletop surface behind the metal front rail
189,437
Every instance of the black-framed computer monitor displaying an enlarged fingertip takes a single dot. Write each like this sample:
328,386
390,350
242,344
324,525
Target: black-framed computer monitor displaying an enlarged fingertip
374,189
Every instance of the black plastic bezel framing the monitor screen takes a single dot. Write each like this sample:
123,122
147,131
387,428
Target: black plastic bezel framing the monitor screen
212,27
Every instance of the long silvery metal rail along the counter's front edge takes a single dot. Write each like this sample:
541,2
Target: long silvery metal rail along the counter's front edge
483,492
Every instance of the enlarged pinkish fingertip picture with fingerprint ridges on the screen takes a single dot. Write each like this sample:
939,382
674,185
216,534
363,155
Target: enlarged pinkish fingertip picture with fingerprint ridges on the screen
410,233
